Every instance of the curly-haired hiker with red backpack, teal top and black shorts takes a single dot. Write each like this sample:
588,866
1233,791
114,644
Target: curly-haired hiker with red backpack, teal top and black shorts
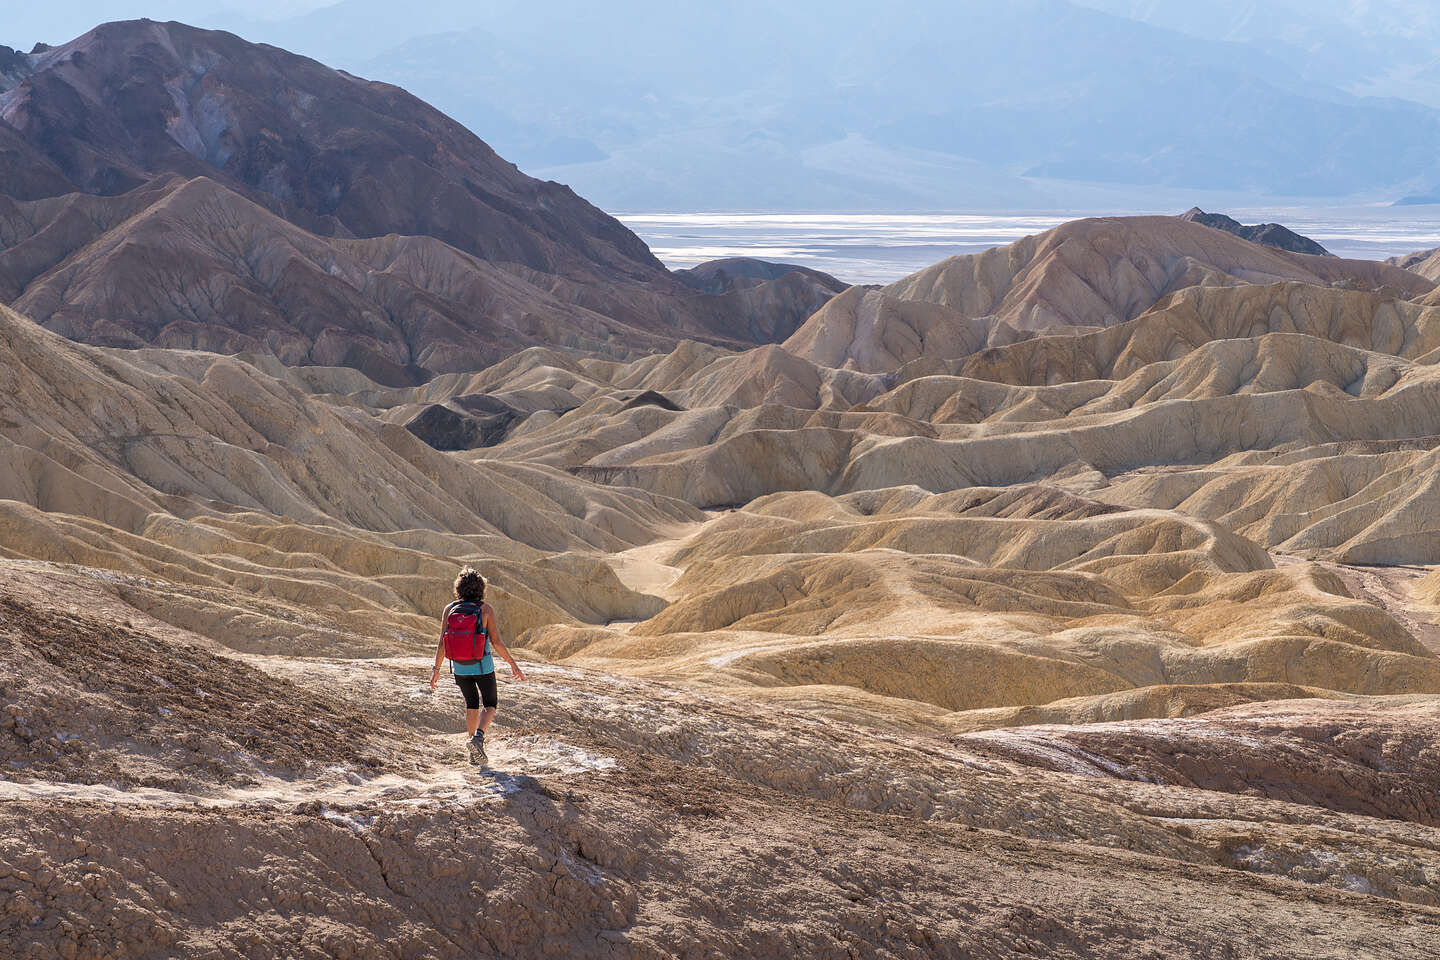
469,637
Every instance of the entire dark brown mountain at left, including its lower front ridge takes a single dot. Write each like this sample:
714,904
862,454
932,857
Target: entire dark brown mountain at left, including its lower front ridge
165,185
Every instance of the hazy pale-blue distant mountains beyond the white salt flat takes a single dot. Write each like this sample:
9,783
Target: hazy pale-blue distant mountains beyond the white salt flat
915,106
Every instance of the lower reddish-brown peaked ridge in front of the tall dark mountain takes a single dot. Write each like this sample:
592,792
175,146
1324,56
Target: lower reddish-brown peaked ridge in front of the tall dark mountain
197,266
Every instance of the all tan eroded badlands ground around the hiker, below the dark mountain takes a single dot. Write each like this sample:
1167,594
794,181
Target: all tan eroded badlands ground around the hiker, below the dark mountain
981,618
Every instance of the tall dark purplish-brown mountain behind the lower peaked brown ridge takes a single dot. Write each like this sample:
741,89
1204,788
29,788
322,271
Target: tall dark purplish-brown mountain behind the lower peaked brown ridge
333,153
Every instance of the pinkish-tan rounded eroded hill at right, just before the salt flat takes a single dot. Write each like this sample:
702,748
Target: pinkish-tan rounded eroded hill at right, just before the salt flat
1079,277
